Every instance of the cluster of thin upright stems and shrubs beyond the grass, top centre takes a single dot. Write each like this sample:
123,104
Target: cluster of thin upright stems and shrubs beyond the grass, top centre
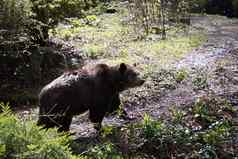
156,16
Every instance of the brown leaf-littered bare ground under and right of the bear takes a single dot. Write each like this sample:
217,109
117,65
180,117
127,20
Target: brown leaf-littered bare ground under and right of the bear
211,69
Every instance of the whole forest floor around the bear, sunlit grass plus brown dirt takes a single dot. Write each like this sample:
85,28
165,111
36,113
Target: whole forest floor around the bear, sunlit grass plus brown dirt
175,78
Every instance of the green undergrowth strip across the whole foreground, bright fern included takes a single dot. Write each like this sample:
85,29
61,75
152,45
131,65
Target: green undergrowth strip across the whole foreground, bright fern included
207,129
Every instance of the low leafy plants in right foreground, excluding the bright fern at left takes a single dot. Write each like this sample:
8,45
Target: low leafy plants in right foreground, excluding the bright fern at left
204,130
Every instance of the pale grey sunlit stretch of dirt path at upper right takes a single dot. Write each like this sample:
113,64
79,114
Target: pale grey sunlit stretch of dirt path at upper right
222,38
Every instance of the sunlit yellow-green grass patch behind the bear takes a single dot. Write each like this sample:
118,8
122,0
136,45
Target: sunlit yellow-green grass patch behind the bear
108,38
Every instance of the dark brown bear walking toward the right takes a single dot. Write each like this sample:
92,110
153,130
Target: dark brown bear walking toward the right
96,89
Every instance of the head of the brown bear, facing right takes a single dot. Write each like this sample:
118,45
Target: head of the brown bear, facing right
127,77
